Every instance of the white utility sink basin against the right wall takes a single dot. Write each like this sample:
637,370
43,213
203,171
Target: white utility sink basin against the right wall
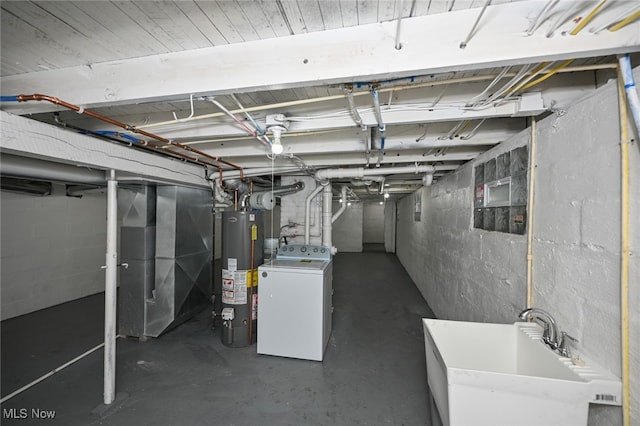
502,374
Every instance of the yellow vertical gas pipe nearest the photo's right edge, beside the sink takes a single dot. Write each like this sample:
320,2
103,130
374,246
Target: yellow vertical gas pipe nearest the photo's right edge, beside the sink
624,243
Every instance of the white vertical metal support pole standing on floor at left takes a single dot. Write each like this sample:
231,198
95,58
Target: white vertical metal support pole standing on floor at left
110,290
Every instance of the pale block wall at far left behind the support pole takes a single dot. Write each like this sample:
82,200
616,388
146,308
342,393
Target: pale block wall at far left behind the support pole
52,249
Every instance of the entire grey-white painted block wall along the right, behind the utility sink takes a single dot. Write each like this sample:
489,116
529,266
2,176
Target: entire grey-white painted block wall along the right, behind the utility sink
470,274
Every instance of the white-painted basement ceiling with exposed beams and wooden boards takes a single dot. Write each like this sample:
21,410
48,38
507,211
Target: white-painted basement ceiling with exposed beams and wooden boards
143,62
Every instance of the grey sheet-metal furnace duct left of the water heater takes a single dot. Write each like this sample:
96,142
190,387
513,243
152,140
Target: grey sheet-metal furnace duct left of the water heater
167,241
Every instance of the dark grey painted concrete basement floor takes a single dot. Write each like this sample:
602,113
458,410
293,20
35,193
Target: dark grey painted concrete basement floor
373,372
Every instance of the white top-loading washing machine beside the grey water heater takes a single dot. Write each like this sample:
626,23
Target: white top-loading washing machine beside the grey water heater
294,307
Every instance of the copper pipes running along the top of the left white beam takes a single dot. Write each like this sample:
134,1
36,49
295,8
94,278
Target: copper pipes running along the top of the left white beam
79,110
